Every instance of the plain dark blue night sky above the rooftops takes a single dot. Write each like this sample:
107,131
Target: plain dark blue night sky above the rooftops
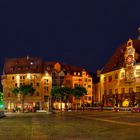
75,32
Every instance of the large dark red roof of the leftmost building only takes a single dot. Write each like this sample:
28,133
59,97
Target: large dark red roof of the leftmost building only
23,65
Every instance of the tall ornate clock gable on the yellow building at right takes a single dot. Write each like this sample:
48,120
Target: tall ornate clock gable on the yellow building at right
129,61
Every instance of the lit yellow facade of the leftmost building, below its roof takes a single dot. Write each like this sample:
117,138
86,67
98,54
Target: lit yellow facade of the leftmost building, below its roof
42,84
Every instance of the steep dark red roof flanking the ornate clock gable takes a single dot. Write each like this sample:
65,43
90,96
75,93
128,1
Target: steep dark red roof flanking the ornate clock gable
117,60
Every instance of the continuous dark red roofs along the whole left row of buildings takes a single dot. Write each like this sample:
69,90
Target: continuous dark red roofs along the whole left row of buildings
35,65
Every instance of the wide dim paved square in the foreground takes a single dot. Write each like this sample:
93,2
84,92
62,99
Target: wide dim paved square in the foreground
71,126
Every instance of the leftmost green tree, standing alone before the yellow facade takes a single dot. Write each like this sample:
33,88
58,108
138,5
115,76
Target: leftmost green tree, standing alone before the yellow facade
22,91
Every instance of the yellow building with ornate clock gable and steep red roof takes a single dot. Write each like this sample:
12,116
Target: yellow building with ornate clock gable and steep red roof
121,87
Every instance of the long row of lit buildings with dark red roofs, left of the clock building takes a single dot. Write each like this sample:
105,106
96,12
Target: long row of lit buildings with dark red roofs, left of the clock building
42,76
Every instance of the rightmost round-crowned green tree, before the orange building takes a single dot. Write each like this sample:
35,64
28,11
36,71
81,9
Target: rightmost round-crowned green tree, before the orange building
78,92
